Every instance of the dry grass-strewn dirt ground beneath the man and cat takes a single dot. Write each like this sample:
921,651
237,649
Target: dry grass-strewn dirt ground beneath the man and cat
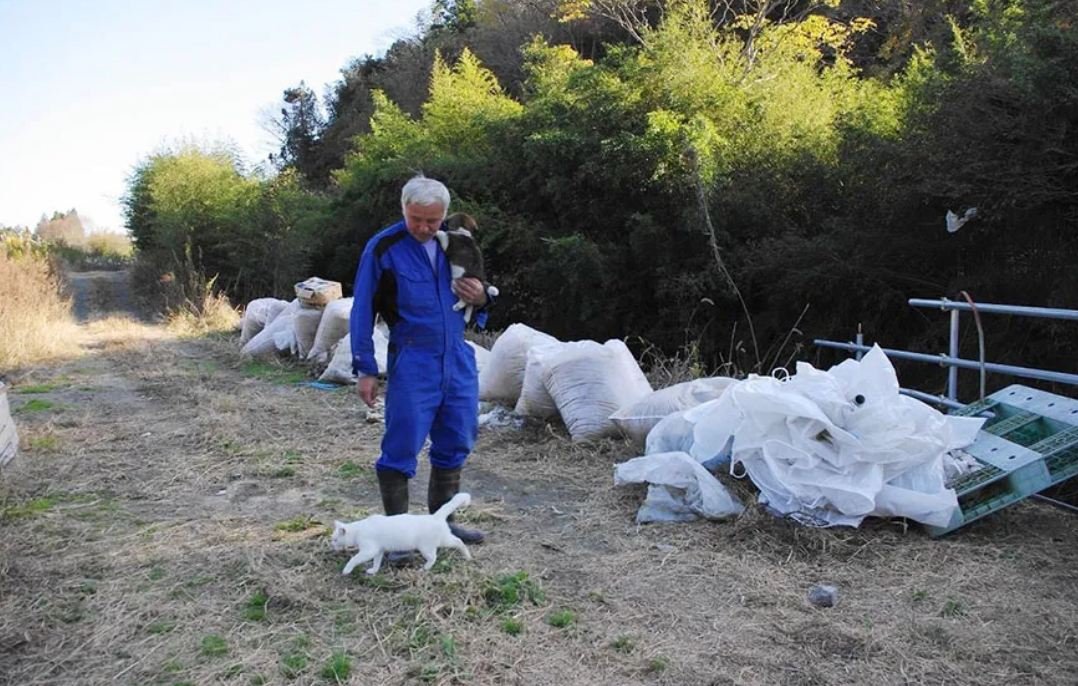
167,520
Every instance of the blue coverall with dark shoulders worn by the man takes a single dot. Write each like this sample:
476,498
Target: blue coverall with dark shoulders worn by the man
433,387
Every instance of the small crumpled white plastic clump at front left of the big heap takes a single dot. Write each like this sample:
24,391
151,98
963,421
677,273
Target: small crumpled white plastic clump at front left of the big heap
682,489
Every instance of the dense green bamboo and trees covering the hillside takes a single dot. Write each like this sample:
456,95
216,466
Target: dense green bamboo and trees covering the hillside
765,157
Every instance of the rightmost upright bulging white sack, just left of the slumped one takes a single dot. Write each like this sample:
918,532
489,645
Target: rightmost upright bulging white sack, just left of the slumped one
590,382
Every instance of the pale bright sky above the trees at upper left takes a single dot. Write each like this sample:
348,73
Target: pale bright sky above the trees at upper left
93,87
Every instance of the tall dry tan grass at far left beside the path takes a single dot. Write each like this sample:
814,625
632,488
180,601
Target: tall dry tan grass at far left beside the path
36,322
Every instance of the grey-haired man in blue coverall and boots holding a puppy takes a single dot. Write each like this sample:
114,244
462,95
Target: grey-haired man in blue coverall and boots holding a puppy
433,386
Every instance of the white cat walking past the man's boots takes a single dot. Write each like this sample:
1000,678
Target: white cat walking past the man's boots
379,534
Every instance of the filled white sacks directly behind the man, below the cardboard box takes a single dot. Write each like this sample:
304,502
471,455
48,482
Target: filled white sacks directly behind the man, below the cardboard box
317,335
